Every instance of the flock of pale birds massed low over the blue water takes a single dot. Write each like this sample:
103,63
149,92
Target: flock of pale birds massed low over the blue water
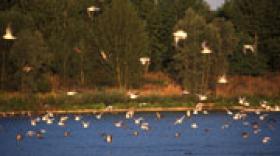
49,119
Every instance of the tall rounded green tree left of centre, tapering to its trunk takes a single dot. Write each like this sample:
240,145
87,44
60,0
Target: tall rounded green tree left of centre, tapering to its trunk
120,35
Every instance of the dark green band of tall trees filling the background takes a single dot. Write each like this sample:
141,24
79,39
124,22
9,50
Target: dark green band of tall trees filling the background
61,44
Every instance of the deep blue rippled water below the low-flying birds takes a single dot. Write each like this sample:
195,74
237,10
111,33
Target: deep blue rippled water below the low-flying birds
208,139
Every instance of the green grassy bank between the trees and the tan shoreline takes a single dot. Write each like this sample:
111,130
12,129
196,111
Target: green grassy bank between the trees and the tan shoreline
100,100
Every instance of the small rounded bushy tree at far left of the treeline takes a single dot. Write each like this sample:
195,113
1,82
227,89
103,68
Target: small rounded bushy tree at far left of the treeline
31,58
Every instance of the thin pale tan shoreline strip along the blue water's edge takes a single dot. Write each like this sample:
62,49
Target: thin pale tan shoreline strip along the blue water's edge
148,109
